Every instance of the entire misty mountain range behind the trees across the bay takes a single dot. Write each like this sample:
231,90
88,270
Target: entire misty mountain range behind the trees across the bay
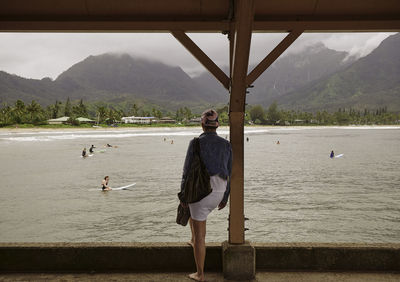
317,78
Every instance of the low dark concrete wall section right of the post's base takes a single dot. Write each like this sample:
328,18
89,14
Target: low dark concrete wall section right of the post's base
328,257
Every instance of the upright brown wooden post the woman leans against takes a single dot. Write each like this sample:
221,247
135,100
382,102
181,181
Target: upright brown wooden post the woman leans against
244,14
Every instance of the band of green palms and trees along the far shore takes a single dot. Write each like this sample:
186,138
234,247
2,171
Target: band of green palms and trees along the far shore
35,114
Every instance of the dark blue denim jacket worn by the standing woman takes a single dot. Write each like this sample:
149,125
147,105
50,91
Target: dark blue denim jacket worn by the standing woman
216,154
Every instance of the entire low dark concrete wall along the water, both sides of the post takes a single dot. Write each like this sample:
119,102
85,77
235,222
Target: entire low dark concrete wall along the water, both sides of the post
158,257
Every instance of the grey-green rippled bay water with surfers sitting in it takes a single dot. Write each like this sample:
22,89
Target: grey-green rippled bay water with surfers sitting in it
293,191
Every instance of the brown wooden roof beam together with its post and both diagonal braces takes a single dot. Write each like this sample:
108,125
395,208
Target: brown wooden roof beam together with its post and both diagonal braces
238,19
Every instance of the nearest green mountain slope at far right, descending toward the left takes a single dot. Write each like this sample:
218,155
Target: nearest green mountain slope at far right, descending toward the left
370,82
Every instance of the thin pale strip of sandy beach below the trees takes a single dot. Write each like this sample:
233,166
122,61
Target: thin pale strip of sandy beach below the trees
149,128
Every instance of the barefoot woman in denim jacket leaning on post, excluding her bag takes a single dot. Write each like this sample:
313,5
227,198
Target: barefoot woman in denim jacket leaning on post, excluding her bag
216,154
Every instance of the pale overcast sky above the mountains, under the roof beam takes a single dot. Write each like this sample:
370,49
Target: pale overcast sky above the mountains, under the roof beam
38,55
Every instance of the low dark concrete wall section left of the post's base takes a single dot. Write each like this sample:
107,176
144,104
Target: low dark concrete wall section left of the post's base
106,257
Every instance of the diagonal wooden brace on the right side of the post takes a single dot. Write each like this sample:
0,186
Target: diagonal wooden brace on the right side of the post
271,57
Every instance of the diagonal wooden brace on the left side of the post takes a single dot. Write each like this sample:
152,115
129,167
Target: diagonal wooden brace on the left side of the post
201,57
